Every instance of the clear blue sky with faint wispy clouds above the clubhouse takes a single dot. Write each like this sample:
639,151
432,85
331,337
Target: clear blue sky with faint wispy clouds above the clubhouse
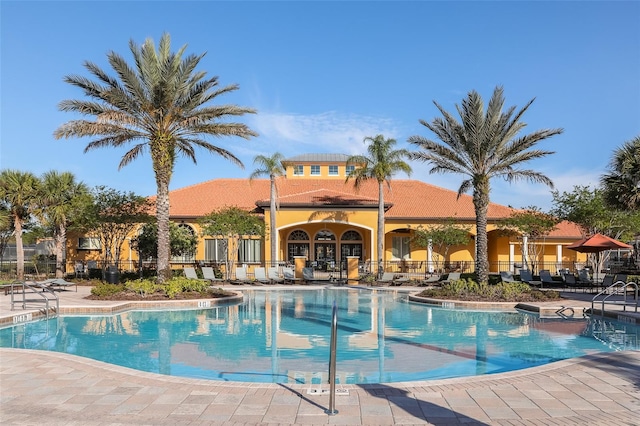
323,75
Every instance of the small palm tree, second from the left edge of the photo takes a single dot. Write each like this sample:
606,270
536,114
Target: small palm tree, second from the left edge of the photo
60,197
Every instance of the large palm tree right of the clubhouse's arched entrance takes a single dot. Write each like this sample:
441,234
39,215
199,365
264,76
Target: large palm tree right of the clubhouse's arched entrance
481,147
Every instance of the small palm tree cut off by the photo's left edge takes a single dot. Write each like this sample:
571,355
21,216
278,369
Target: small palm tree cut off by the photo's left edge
18,192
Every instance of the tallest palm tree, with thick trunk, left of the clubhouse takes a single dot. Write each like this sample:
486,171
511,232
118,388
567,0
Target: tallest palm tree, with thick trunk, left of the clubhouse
161,105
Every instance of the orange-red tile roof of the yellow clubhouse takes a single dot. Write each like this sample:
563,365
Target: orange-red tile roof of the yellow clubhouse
405,199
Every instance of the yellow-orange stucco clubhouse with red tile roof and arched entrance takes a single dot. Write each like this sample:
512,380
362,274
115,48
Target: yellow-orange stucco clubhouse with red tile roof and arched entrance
324,219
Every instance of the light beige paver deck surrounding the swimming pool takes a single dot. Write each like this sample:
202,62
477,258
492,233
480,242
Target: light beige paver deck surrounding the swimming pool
39,387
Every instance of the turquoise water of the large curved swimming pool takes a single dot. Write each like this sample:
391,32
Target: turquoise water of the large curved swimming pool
283,337
